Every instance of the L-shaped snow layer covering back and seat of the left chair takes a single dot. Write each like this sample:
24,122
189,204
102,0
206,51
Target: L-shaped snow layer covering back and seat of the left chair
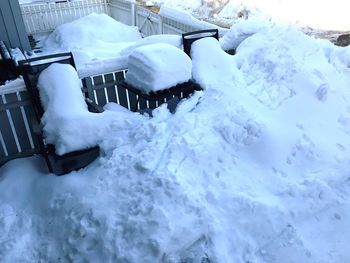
66,116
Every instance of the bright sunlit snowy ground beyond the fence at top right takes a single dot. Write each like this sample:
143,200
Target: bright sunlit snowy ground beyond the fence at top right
325,15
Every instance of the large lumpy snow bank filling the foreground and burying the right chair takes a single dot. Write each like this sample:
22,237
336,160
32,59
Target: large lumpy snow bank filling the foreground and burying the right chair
253,169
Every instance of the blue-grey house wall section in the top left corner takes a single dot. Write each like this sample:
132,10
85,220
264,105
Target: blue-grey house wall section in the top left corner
12,29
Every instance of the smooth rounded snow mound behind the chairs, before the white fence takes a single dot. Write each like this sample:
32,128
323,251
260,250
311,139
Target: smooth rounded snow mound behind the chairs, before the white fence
90,38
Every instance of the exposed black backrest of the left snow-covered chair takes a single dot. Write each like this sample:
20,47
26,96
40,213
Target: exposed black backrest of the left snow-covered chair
31,69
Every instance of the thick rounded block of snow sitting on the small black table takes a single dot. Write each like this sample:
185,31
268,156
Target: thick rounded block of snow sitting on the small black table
158,66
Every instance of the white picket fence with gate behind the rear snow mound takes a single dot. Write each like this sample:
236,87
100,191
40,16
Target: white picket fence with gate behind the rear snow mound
45,17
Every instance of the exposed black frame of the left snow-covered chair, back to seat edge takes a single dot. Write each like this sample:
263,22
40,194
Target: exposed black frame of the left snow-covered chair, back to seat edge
57,164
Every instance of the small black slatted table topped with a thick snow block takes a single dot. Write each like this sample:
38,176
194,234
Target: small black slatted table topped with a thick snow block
158,73
